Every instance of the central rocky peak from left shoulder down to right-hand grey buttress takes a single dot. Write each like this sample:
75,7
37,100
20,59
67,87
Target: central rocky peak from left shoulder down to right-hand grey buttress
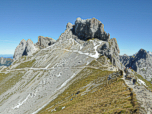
90,32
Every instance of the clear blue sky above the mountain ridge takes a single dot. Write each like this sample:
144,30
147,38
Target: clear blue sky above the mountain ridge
129,21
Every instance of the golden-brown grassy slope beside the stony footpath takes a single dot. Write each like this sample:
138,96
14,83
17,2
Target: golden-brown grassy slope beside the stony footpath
91,92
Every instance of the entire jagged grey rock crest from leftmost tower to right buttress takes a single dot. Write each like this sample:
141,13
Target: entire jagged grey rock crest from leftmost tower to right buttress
83,31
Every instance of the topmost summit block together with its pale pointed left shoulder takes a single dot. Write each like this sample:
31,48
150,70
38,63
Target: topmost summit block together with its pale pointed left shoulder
85,30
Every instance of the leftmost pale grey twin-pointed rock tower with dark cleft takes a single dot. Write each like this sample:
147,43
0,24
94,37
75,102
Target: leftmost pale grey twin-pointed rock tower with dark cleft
25,48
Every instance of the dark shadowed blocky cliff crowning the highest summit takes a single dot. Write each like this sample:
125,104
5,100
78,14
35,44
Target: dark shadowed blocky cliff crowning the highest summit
90,28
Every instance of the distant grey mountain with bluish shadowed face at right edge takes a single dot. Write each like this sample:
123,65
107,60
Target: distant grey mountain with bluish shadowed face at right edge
141,62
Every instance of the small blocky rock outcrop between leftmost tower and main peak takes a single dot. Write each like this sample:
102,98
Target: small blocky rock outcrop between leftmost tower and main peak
44,42
